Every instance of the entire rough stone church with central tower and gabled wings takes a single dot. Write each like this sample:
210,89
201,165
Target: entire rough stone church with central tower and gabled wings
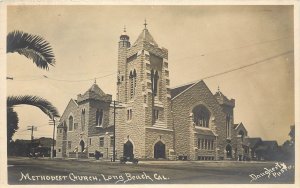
149,119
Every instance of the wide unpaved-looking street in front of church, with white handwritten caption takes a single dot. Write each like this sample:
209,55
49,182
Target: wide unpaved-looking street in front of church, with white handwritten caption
49,171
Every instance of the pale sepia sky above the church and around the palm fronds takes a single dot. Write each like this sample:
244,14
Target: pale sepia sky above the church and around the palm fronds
202,41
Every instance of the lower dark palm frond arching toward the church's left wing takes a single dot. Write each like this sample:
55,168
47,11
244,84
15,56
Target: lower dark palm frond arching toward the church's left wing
36,101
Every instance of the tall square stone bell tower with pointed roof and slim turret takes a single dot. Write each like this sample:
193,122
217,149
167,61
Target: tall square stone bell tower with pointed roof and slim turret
143,88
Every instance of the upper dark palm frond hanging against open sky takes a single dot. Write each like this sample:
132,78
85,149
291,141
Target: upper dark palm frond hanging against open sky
32,46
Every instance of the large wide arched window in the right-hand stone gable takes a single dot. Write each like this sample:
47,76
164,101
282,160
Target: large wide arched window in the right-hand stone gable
201,116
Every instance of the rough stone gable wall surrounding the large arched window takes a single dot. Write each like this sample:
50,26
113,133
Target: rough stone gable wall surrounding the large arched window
182,107
